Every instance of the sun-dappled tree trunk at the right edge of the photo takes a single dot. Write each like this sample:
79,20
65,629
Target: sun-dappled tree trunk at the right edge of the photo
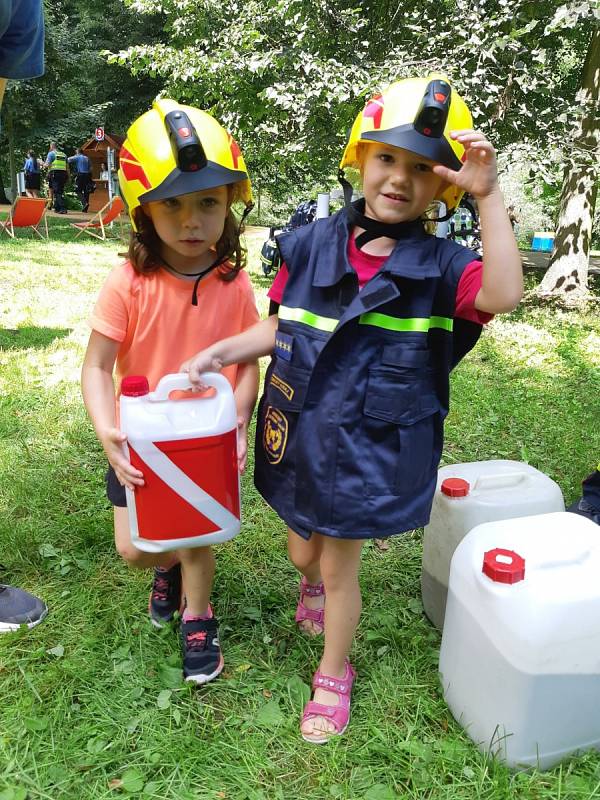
567,274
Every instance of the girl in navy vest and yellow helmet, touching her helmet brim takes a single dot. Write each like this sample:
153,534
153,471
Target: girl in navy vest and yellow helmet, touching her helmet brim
371,315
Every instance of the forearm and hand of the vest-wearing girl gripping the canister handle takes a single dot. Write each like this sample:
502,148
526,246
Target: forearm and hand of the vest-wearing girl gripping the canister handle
259,340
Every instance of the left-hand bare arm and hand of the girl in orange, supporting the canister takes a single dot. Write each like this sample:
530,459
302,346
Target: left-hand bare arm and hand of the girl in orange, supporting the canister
99,398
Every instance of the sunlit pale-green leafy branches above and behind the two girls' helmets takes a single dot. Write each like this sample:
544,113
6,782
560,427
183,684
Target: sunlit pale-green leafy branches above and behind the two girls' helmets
289,77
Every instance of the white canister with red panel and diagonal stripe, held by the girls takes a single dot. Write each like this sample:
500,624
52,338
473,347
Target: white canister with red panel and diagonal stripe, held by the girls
187,451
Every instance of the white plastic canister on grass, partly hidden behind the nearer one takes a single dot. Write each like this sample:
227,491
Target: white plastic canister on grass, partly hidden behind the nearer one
468,495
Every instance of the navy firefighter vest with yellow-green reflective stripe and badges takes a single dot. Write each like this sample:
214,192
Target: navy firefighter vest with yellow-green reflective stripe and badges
350,425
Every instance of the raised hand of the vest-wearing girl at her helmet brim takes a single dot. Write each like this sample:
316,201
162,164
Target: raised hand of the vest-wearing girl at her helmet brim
478,174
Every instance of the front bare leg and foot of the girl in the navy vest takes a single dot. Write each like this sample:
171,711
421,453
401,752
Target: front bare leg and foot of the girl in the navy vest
340,561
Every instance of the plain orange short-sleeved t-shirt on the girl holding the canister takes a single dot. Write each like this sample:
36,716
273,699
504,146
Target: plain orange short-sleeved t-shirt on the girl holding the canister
153,319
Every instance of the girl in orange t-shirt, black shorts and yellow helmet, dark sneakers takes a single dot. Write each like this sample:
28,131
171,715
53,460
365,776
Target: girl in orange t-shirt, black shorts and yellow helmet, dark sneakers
181,289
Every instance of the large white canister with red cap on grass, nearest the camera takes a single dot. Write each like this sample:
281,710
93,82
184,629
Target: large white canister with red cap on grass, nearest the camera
520,656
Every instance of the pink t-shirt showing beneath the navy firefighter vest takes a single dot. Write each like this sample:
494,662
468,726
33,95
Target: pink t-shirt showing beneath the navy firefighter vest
367,266
